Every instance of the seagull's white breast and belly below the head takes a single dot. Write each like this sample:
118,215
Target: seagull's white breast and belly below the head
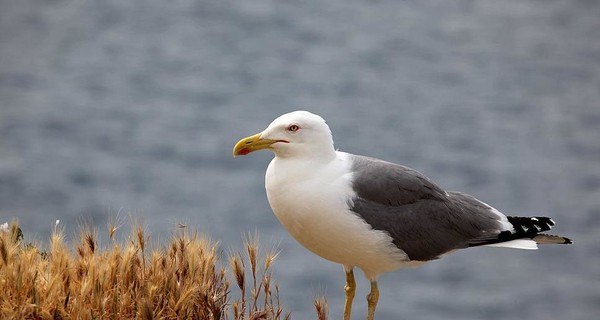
311,199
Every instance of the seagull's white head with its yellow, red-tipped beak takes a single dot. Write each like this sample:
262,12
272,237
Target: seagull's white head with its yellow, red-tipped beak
295,134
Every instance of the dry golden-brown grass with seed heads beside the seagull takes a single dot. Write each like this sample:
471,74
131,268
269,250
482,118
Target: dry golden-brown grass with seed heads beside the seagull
182,280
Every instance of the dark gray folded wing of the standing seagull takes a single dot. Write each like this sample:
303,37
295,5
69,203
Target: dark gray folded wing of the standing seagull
423,220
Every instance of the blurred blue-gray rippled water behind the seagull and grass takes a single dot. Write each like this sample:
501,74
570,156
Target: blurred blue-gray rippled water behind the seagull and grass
118,106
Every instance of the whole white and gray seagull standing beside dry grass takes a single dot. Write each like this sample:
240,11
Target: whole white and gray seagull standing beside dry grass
370,214
